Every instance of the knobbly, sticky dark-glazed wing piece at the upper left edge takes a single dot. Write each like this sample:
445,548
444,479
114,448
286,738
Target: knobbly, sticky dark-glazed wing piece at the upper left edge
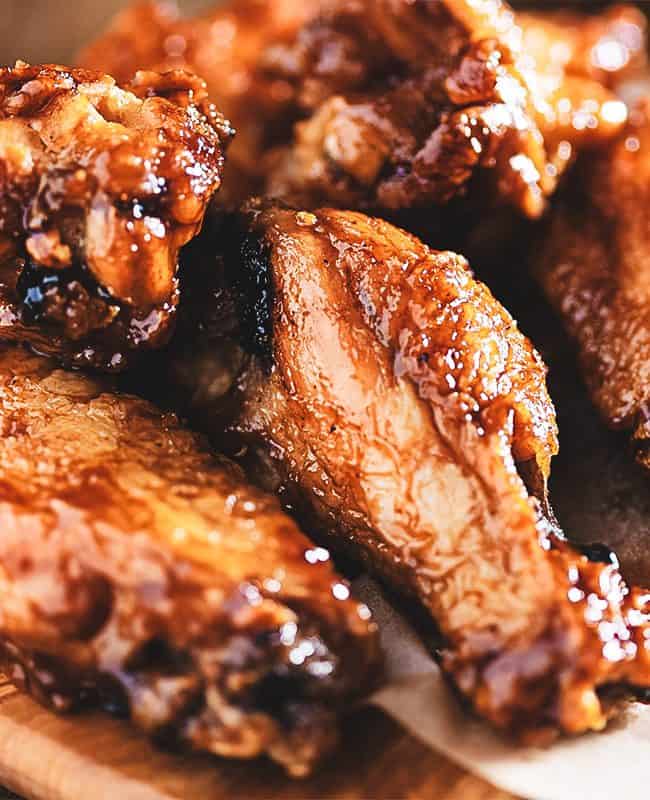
99,189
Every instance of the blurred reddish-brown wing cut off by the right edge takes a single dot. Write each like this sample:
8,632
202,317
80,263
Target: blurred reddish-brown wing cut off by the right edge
595,269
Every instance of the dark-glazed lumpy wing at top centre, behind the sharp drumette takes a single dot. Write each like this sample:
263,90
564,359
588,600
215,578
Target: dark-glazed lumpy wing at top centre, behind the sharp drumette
407,102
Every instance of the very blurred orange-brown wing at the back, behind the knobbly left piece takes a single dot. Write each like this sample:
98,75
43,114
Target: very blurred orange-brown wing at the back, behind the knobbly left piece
223,46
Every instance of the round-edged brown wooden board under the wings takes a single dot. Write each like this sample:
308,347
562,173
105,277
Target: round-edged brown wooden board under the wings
94,757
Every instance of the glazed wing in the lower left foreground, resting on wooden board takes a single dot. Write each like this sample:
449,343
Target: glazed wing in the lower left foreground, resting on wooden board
139,572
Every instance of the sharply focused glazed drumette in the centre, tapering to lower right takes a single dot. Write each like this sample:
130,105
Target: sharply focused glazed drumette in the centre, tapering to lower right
389,399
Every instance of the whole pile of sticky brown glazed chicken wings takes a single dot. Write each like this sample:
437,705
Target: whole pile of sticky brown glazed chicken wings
223,366
